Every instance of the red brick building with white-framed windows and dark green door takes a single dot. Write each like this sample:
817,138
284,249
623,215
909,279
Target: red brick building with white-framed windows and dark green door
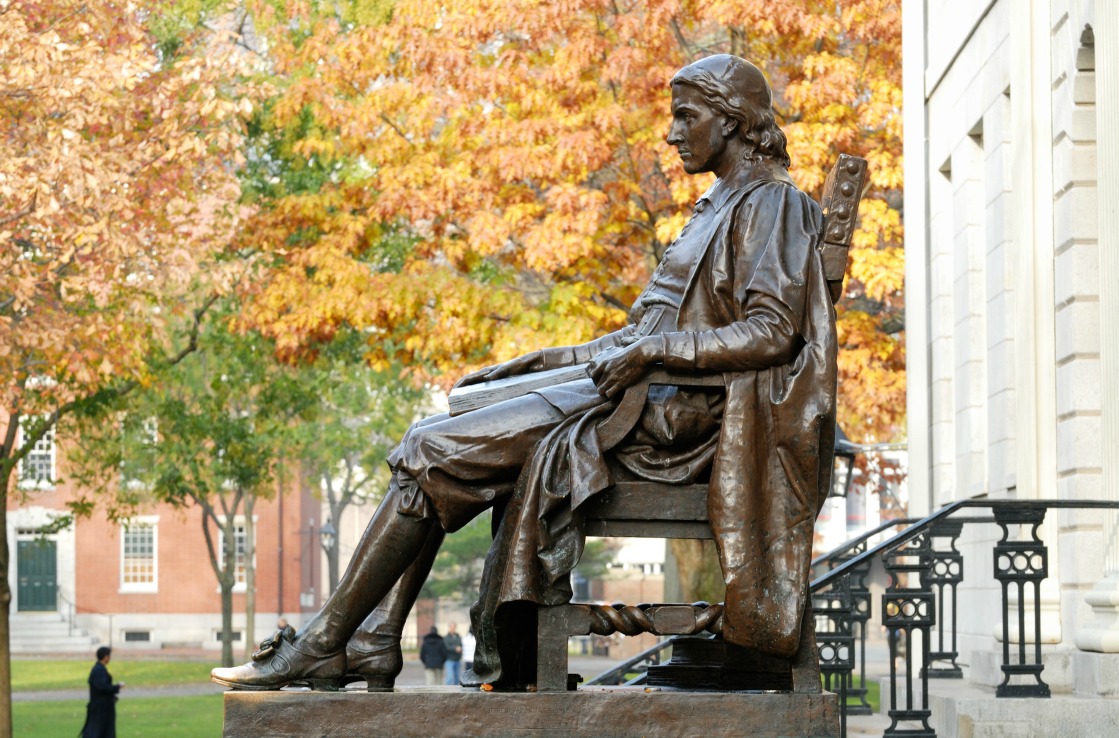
149,583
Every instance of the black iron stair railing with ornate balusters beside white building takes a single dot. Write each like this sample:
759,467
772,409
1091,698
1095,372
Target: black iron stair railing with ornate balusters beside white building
925,569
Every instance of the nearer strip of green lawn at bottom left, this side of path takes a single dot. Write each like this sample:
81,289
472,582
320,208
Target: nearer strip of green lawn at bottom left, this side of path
155,717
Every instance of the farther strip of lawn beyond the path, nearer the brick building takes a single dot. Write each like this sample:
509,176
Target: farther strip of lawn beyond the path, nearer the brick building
32,676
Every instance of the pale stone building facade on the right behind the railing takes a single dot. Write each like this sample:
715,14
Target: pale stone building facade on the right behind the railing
1012,217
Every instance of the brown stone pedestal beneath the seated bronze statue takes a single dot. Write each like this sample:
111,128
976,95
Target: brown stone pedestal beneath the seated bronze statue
434,713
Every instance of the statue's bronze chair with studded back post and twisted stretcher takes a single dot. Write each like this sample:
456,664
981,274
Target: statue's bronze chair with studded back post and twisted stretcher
656,510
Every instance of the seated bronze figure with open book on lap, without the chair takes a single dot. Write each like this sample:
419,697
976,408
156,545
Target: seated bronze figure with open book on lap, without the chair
741,295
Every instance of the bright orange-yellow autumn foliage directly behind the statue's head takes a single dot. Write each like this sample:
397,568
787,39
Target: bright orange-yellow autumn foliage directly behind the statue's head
516,148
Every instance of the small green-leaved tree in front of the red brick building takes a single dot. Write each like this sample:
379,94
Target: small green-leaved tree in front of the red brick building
206,433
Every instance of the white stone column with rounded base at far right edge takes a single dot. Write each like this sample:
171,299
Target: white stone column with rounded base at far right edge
1102,633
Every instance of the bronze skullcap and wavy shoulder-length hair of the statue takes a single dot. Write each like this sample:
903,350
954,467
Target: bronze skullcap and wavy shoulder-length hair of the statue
736,89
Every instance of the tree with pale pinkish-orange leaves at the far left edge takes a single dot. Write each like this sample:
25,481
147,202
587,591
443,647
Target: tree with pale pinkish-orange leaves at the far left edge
116,190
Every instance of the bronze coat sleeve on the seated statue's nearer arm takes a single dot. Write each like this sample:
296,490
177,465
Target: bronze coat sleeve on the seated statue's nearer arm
774,235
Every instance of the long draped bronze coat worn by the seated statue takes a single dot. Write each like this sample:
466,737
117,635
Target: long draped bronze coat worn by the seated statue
756,309
